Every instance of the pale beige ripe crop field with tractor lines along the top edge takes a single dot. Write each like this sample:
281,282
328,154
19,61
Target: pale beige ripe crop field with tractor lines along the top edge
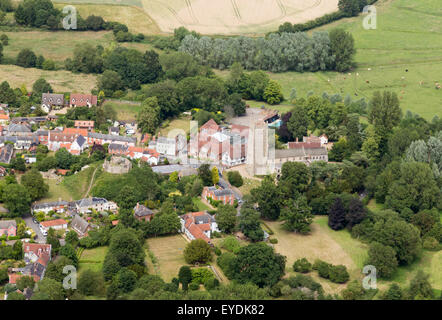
209,17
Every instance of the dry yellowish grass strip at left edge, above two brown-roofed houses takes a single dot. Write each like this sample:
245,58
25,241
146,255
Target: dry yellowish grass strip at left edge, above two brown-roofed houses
61,80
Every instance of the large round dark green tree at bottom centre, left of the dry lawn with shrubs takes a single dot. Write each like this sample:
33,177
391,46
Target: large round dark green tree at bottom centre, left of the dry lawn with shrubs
259,264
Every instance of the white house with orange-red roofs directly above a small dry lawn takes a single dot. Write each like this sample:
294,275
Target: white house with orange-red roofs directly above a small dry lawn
198,225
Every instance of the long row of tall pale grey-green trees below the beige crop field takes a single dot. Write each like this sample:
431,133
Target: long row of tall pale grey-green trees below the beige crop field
276,52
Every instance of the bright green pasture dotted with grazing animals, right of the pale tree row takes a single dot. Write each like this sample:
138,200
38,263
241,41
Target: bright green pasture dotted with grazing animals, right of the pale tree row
408,37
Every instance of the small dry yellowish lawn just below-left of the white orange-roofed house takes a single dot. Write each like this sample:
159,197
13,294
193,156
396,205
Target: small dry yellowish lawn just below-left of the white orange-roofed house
168,253
